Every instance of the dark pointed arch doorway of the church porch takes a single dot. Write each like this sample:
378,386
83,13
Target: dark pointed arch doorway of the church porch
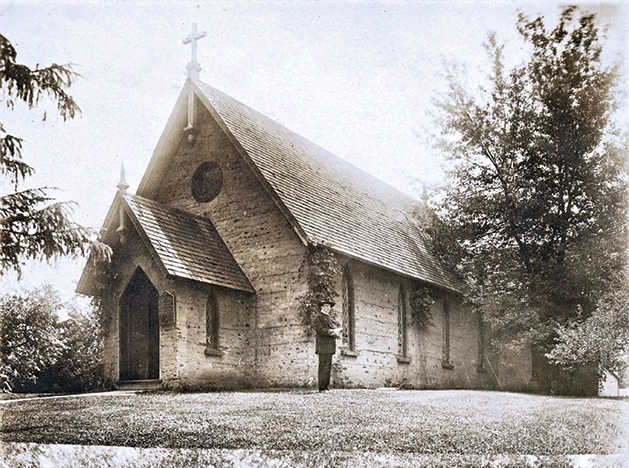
139,329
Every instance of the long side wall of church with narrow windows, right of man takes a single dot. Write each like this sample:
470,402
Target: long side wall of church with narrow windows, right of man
378,361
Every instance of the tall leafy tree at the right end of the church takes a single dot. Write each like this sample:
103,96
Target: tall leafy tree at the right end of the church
534,215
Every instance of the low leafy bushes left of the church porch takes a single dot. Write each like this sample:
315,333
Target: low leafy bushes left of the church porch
41,353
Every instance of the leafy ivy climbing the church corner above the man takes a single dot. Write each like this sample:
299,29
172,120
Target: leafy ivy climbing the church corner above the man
321,269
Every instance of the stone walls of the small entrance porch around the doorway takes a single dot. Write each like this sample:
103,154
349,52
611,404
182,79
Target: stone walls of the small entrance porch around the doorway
183,360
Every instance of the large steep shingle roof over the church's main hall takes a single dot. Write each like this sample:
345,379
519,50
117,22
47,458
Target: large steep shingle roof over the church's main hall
331,201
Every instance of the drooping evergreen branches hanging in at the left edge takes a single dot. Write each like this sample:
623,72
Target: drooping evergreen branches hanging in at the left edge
32,224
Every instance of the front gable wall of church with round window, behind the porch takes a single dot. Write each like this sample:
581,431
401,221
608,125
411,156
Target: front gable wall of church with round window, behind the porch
278,351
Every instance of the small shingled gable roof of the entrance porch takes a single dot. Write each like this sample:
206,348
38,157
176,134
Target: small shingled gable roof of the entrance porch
184,246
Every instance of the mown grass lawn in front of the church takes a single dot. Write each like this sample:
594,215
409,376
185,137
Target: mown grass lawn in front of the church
426,422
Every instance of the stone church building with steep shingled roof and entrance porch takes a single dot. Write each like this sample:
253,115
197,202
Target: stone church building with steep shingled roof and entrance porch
209,267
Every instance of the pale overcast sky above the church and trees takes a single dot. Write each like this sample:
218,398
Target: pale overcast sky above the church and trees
355,77
